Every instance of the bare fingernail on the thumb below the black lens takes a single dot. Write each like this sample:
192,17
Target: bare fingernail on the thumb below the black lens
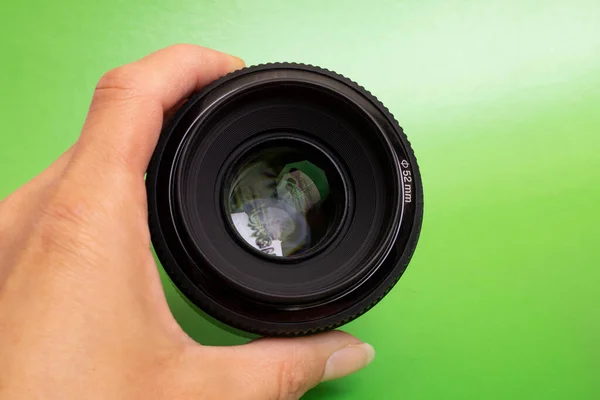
348,360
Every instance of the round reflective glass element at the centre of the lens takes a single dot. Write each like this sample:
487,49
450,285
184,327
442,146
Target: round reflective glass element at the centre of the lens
281,198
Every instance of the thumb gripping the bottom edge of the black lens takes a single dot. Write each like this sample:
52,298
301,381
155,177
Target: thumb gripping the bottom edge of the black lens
287,368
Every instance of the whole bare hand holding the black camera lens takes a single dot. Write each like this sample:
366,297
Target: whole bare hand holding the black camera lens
82,310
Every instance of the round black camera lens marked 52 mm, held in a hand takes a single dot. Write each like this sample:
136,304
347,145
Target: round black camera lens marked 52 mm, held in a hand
284,200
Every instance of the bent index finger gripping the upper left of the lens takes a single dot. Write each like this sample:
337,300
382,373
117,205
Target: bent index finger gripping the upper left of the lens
129,102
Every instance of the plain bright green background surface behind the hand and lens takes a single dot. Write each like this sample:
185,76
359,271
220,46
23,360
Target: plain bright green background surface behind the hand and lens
501,100
